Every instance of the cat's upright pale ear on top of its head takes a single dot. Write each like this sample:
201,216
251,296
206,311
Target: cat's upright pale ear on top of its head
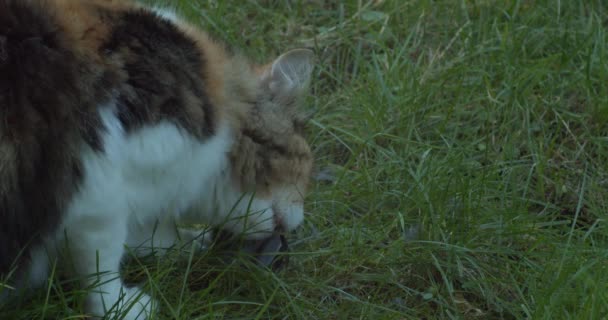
289,75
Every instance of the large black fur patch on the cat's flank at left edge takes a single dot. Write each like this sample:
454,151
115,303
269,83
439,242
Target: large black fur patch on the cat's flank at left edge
46,95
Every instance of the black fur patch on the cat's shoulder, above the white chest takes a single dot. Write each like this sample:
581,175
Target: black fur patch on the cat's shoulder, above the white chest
164,69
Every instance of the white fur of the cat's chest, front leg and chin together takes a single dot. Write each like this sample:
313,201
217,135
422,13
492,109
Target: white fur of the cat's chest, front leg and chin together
136,191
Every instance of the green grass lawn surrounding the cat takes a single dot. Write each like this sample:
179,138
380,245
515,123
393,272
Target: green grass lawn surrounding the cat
462,154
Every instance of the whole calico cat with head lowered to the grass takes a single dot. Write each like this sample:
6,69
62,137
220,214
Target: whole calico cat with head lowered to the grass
118,122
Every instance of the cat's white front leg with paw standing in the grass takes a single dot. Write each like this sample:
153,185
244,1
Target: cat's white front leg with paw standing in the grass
95,243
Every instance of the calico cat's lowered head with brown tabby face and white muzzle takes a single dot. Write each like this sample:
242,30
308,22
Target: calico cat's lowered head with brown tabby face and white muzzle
272,157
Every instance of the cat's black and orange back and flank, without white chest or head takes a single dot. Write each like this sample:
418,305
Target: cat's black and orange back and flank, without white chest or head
62,61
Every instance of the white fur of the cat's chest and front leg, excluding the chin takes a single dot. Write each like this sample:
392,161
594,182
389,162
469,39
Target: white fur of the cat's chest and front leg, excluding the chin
156,171
